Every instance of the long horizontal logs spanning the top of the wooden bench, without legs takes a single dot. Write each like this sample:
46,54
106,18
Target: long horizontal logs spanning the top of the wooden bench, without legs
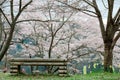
38,61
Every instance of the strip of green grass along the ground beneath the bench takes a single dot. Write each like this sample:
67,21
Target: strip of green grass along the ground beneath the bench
92,76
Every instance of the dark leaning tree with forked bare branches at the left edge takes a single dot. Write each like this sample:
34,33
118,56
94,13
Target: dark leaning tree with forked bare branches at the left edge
11,23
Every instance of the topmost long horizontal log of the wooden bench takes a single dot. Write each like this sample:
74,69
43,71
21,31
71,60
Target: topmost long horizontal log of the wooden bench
36,60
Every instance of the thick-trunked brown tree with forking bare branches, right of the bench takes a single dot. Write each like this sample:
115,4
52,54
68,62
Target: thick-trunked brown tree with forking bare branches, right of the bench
110,32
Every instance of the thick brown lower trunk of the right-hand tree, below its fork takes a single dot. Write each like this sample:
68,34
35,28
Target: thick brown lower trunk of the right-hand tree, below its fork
108,57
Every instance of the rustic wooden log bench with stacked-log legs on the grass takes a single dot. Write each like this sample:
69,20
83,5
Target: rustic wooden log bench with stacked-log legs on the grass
16,63
